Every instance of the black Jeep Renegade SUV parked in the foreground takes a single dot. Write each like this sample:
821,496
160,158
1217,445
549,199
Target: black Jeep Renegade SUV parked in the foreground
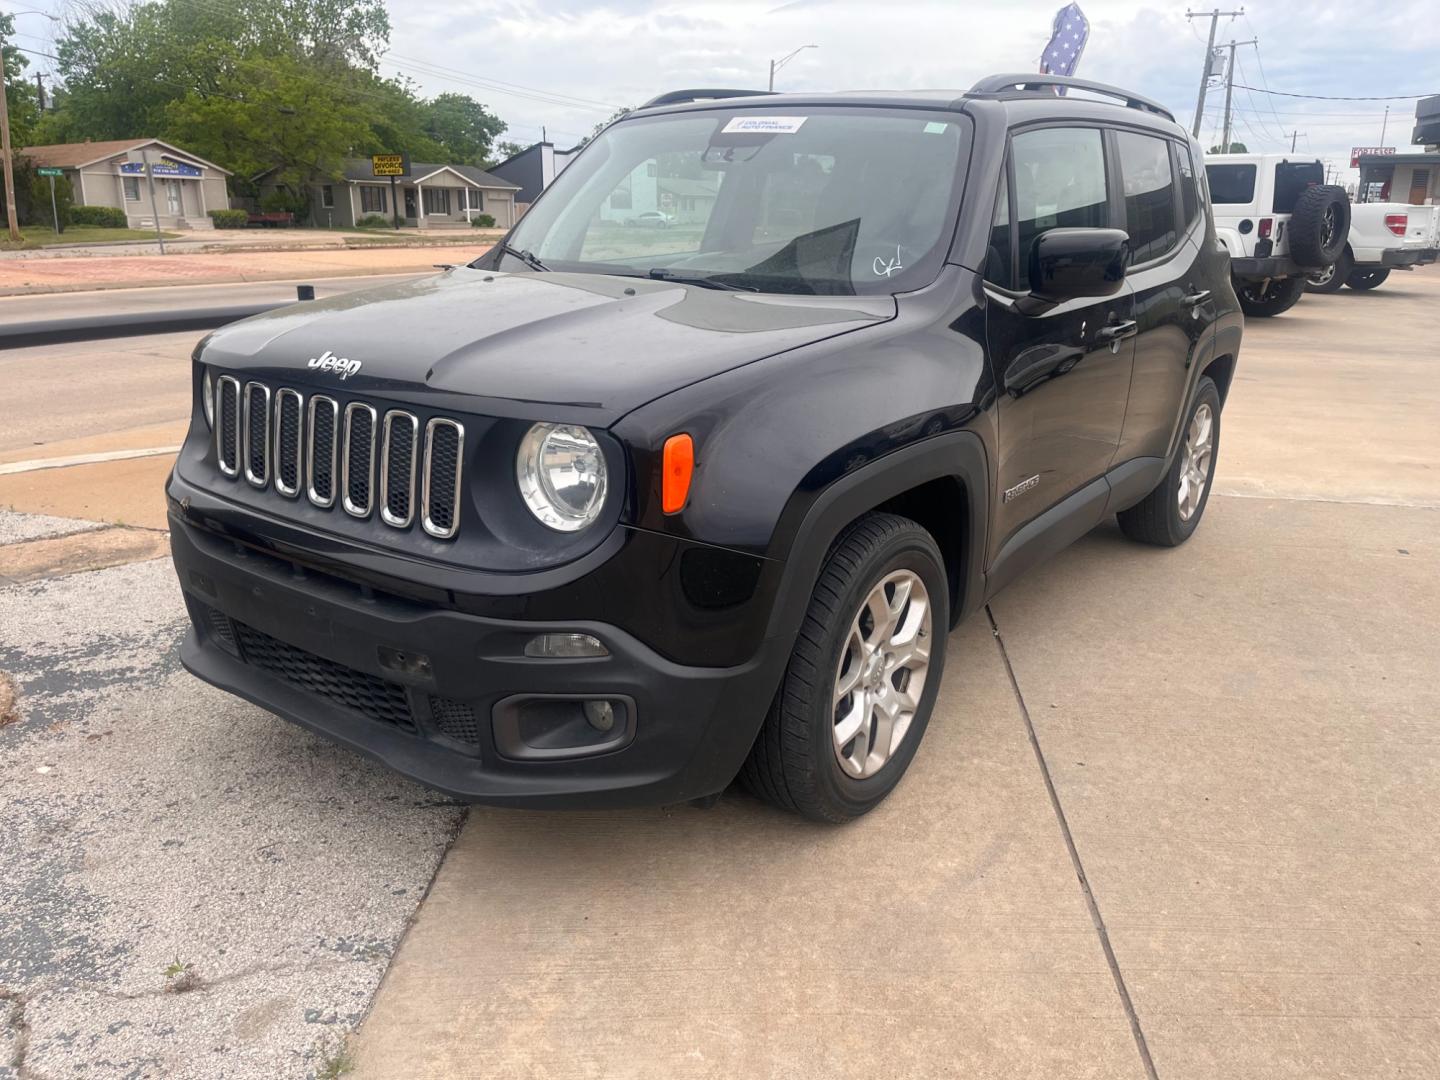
616,515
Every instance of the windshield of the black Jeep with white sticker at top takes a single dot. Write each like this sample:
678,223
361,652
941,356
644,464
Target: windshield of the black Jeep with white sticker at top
830,201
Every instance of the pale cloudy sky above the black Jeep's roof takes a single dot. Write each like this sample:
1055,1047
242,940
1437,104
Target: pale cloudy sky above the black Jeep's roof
568,64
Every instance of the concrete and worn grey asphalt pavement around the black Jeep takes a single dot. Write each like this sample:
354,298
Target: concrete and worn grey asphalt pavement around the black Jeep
1173,819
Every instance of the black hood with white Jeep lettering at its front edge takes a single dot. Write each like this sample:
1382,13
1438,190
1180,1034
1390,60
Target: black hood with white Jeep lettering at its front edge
598,346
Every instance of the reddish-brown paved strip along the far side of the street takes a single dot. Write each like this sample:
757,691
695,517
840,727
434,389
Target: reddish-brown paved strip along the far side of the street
31,276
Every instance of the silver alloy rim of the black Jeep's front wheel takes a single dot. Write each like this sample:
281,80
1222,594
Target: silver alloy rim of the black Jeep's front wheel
882,673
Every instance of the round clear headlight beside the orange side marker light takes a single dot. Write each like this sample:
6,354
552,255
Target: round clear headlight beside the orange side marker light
562,476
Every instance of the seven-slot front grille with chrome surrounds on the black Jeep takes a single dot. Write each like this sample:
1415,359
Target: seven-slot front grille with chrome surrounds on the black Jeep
374,462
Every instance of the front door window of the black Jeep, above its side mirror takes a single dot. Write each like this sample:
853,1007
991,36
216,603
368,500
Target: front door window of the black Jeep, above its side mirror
1059,184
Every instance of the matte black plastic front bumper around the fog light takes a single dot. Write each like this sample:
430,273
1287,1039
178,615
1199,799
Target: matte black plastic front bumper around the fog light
310,649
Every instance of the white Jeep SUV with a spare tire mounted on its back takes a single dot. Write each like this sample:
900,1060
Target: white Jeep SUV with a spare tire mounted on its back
1279,221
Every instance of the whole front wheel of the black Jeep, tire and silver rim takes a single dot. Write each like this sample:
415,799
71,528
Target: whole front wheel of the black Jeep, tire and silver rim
796,762
